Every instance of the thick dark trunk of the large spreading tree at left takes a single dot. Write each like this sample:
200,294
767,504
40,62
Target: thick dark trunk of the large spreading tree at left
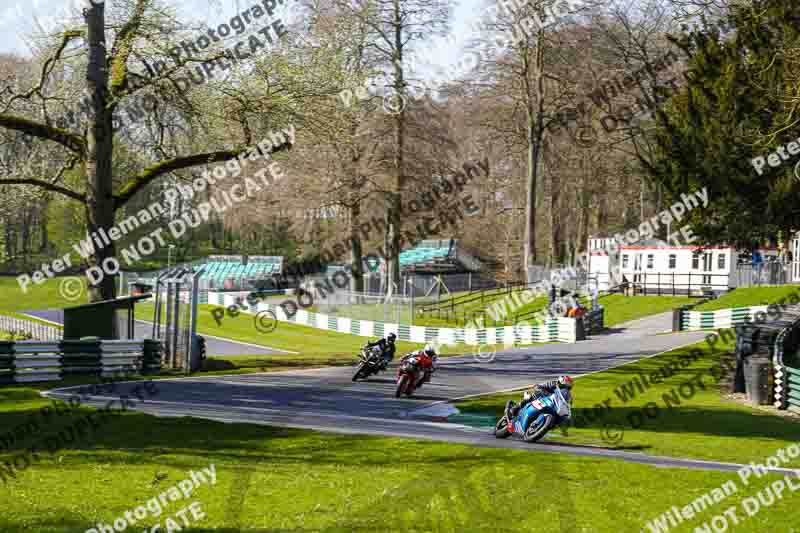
100,208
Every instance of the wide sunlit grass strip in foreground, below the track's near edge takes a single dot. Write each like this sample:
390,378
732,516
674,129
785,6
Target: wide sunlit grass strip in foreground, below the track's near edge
271,479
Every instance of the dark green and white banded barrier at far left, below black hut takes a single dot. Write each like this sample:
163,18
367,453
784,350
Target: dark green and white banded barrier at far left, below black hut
27,361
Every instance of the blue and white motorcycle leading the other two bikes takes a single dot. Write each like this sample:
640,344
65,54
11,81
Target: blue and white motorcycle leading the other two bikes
537,418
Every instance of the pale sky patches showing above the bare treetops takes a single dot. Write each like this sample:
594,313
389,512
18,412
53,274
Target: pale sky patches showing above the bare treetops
19,18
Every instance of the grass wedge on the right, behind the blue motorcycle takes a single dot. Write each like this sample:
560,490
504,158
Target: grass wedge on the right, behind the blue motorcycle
704,425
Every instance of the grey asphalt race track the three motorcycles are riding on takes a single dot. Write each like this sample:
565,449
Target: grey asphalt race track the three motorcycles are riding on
327,400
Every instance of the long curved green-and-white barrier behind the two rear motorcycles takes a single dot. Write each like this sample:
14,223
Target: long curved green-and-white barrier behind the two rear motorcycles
558,329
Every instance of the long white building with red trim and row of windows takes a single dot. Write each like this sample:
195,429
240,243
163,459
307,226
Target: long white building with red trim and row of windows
656,267
